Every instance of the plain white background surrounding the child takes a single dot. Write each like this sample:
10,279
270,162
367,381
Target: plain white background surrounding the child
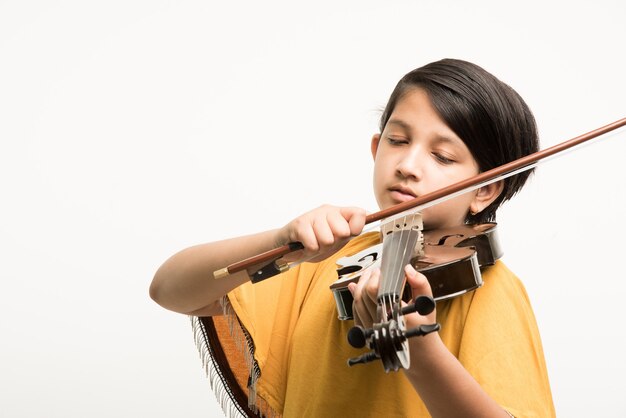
132,129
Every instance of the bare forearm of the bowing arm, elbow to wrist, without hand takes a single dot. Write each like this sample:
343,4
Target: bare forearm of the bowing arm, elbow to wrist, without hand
185,282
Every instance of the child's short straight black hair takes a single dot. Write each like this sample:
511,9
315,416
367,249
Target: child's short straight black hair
488,115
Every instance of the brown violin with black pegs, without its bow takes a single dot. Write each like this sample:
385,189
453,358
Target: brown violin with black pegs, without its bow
450,258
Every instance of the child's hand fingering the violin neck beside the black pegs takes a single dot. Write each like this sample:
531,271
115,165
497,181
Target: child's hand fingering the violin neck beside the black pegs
365,294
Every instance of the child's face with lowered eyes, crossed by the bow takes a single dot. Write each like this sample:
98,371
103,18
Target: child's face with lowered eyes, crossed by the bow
418,153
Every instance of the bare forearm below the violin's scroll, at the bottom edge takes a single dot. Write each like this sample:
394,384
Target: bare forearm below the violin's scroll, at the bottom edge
447,389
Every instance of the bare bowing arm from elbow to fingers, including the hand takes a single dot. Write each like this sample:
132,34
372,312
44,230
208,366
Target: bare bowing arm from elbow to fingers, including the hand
185,283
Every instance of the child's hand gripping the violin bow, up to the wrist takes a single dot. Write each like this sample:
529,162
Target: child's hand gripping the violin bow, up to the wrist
322,231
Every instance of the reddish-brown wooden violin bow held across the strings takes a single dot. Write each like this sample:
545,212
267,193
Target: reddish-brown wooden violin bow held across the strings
269,263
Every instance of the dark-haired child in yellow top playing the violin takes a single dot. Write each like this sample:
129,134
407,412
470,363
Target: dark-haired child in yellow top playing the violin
444,122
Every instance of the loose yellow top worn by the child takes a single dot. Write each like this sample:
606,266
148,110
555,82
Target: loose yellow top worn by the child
302,350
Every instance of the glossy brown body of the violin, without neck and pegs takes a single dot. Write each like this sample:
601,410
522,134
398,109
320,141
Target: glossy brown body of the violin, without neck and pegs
451,261
